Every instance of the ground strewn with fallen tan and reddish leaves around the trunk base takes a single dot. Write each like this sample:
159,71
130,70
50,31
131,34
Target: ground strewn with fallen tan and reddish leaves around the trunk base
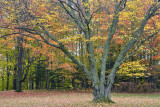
44,98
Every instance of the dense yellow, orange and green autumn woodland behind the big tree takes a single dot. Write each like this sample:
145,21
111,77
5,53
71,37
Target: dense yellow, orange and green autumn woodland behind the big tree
45,67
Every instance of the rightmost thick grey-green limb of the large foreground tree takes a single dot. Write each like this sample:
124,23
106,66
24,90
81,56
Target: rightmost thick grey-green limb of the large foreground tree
150,13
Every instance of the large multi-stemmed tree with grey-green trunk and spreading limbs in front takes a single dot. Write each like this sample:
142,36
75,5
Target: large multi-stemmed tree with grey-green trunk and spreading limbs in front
80,14
